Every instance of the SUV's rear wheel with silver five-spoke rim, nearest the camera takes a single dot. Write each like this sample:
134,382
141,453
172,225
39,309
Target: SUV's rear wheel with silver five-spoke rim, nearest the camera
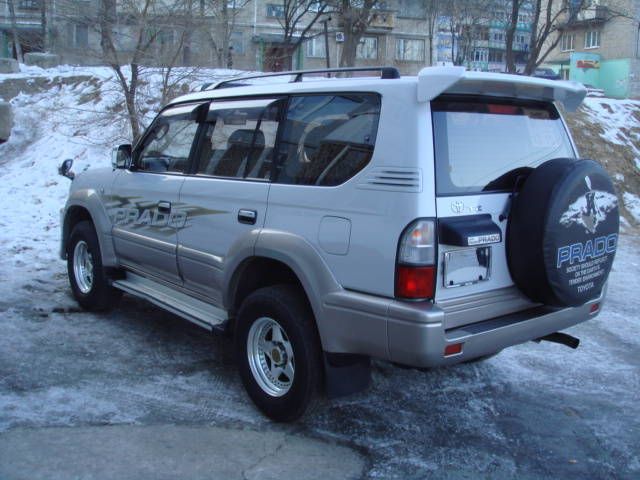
278,352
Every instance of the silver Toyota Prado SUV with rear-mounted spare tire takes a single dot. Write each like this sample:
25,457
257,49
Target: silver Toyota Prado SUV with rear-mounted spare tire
425,220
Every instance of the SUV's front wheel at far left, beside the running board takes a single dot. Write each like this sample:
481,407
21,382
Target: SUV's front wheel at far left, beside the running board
89,282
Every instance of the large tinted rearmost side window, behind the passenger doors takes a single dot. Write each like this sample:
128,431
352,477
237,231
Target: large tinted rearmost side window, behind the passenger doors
327,139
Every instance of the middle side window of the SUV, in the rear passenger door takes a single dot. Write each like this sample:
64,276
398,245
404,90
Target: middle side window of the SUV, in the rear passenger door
239,139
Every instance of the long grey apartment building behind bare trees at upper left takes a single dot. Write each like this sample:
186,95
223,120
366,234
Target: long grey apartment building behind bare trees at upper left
397,35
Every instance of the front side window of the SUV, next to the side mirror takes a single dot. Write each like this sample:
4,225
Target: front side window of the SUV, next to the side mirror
168,143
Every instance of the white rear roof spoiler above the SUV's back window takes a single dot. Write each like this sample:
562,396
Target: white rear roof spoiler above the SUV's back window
433,81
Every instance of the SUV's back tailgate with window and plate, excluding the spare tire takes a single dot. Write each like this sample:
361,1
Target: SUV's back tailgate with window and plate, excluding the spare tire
483,148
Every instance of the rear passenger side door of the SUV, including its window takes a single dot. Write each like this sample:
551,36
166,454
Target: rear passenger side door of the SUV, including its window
226,196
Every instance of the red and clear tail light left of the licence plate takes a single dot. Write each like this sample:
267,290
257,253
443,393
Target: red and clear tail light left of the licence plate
416,262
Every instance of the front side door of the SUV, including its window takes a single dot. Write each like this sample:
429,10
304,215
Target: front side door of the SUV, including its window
143,205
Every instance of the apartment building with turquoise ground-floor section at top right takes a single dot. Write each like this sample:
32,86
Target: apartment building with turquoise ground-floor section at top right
600,46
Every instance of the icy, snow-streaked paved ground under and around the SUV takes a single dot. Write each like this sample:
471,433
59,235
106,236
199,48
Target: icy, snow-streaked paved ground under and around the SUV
139,385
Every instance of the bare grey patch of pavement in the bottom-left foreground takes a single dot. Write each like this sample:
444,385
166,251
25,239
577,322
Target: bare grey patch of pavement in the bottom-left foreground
169,452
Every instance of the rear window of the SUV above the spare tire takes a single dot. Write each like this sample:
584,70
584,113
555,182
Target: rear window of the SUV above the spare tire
485,145
